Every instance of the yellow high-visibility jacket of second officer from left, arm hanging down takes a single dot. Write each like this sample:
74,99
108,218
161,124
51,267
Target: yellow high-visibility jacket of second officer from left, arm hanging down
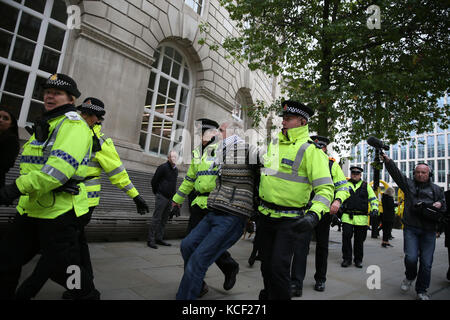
106,159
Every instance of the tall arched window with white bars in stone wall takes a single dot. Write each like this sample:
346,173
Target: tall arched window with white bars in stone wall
167,103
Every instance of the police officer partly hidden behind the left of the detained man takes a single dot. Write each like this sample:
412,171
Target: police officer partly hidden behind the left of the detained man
201,177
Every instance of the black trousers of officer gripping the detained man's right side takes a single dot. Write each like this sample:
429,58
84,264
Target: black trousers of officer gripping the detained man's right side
276,247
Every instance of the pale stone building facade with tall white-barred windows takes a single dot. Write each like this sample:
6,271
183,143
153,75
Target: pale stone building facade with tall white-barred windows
141,57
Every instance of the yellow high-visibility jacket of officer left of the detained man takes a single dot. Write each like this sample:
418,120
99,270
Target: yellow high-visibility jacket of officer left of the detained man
201,176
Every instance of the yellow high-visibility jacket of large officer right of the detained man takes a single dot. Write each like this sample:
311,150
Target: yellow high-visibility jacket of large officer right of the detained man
293,167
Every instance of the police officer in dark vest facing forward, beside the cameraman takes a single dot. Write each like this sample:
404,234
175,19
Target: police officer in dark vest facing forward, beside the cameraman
355,217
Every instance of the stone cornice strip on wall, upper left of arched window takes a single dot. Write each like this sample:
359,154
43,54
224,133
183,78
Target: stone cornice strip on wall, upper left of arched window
92,33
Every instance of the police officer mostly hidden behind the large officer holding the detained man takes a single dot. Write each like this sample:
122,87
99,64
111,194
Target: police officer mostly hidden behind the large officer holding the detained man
322,230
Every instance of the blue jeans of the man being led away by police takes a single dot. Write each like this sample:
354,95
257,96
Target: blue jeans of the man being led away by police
214,234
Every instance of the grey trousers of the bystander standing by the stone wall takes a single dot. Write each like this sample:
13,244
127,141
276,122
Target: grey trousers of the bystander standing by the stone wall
160,217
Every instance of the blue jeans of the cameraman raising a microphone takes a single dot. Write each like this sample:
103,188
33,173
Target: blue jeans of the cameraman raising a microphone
419,244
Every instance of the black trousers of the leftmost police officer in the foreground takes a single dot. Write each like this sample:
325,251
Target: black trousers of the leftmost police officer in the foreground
57,240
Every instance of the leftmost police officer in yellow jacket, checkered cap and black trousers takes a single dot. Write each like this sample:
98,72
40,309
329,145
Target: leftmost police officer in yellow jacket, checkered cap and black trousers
53,162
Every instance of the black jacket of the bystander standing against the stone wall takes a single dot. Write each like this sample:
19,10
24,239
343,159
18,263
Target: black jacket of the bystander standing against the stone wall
164,180
